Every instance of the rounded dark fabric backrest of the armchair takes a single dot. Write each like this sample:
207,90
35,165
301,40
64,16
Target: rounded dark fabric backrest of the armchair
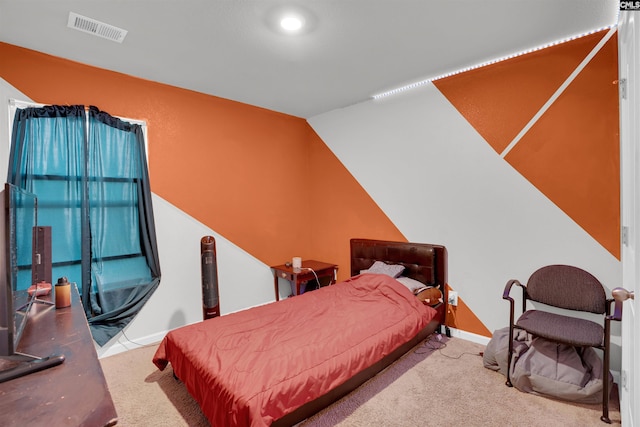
567,287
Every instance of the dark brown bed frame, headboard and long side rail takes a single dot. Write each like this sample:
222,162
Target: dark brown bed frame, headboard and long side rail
423,262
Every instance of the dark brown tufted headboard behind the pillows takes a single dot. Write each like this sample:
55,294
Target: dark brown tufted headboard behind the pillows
424,262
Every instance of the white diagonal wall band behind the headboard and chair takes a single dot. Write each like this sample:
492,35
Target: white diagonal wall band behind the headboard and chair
440,182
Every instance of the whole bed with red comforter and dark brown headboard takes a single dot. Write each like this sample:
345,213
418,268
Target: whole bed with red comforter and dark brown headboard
279,363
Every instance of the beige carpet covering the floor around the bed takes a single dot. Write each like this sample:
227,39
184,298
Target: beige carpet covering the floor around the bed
439,383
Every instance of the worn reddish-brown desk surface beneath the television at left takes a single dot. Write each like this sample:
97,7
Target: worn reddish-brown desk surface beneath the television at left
74,393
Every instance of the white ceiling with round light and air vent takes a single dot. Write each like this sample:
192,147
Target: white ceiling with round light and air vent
352,50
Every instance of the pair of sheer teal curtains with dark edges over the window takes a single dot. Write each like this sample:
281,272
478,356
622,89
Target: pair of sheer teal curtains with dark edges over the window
93,190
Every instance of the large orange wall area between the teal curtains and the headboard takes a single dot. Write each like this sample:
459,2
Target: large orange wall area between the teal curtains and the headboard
263,180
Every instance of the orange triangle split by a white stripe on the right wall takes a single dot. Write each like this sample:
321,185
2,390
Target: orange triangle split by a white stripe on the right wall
571,154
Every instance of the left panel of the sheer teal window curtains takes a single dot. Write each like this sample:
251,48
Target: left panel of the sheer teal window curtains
48,158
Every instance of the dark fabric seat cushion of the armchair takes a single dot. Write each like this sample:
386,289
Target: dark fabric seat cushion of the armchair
566,329
